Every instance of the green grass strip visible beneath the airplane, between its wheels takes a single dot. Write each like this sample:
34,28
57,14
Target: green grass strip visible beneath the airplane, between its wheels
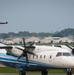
13,70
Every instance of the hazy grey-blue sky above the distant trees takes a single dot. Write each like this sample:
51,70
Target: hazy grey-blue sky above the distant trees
36,15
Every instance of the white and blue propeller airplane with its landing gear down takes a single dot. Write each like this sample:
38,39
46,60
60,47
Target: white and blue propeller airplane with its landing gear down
36,58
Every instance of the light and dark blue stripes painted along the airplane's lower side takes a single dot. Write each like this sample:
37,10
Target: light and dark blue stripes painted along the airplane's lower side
6,58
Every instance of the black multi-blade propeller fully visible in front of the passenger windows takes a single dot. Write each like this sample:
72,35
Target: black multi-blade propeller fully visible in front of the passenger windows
26,51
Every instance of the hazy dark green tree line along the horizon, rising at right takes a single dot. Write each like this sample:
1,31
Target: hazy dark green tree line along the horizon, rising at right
62,33
